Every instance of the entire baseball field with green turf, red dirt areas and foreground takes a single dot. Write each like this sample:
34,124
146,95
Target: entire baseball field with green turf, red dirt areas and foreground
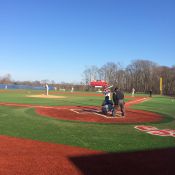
66,134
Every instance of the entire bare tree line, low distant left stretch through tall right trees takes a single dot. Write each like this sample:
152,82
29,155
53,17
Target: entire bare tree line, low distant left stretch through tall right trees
142,75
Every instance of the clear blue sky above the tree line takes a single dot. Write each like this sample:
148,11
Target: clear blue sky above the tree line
58,39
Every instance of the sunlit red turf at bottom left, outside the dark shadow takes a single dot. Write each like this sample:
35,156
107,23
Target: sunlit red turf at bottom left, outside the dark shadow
27,157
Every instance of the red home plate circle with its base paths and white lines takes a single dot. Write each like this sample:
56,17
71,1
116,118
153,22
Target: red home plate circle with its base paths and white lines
93,113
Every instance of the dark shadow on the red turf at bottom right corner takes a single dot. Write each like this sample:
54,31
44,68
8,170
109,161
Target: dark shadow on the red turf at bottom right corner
154,162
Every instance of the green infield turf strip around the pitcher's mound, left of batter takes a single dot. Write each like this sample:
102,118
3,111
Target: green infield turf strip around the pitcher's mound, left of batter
20,96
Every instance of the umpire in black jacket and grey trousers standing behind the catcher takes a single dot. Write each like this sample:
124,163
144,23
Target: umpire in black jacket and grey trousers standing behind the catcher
118,99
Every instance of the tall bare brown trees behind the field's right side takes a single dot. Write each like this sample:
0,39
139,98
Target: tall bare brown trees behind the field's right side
142,75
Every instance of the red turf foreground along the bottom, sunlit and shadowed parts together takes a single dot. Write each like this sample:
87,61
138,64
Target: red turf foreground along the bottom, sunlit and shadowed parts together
27,157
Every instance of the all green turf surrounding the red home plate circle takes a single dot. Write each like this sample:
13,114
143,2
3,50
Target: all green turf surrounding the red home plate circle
25,123
